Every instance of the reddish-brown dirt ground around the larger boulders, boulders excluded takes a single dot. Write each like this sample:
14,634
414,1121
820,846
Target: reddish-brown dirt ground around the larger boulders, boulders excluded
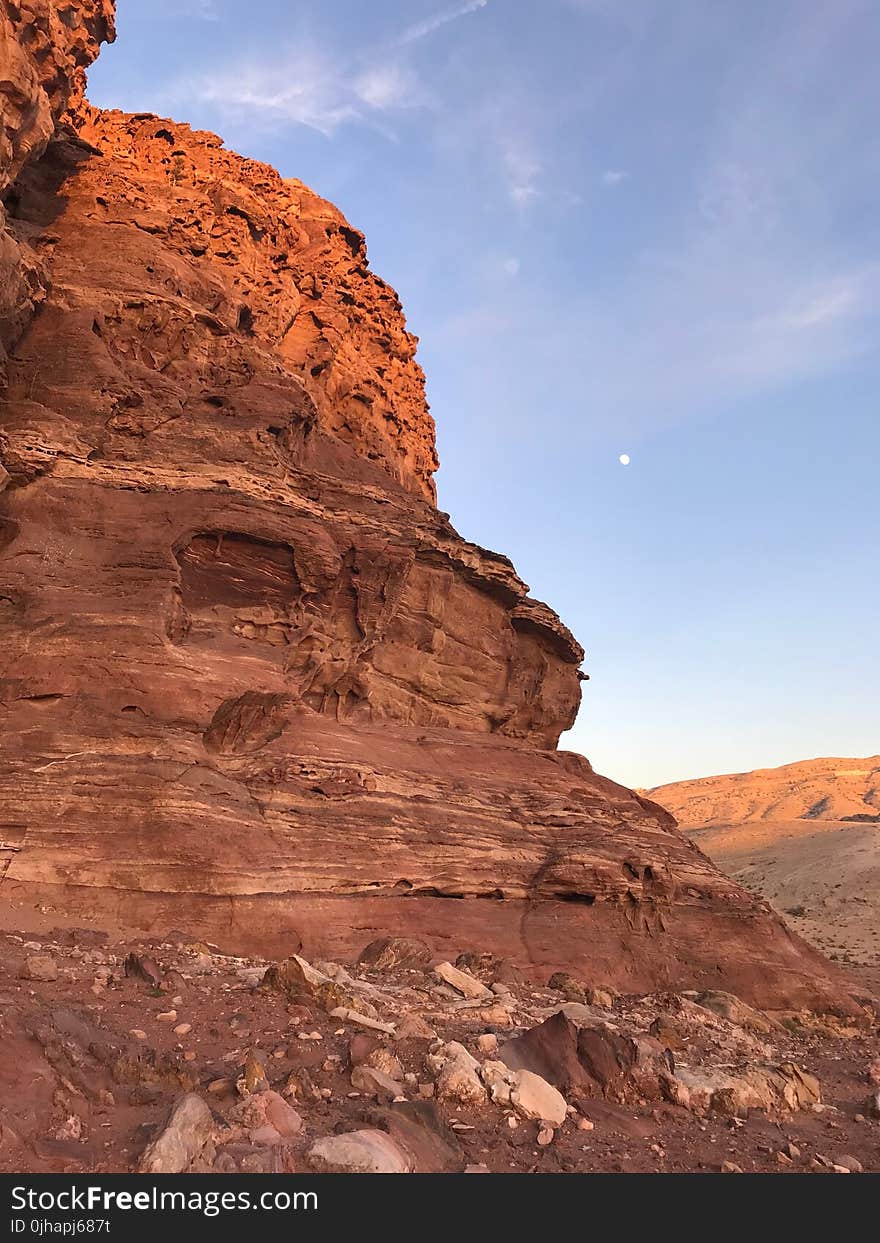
93,1062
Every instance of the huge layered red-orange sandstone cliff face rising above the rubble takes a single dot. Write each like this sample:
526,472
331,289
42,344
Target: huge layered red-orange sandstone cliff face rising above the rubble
254,684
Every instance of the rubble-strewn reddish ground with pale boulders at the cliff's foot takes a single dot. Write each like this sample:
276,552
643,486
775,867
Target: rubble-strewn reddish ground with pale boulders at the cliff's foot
170,1057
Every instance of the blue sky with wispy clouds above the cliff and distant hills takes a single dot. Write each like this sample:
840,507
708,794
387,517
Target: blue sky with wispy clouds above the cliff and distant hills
644,227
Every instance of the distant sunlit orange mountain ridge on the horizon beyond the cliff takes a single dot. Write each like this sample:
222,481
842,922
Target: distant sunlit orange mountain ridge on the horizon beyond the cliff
830,789
